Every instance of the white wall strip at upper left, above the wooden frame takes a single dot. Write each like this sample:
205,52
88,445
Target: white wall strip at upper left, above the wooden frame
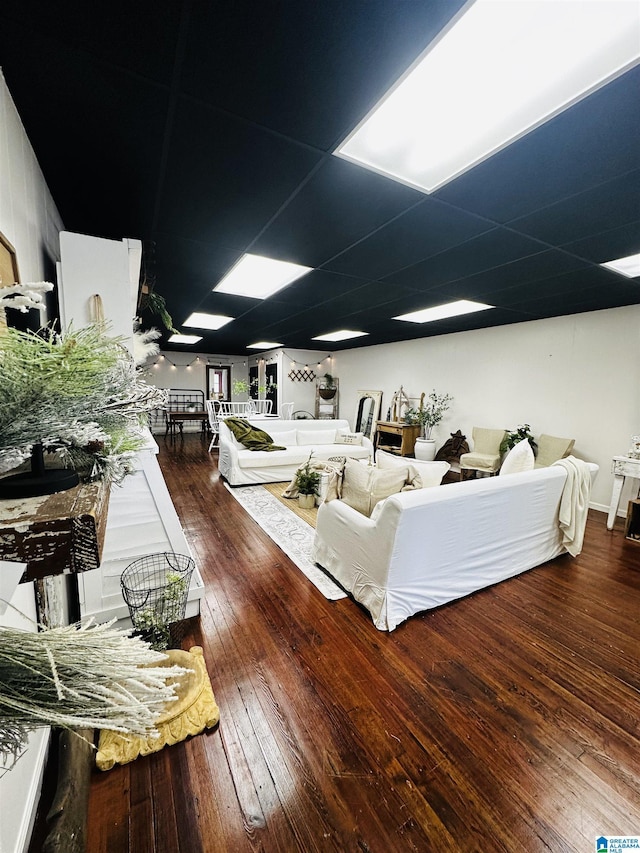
29,218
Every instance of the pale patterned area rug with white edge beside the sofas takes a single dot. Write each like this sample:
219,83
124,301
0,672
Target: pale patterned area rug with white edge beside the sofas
288,531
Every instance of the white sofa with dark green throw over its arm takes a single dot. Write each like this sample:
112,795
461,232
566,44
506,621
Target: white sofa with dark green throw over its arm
240,466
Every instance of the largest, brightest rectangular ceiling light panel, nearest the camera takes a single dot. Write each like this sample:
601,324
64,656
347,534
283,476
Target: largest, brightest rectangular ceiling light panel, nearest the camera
495,73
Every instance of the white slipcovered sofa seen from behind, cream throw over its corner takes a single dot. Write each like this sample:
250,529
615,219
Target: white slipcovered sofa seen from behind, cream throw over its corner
421,549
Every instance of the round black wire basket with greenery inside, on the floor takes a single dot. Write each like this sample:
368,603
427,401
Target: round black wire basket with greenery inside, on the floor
155,589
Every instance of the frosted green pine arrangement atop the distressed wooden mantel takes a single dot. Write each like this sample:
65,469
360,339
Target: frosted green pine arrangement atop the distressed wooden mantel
79,394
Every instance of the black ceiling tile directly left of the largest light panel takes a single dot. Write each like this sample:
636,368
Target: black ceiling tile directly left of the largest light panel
309,71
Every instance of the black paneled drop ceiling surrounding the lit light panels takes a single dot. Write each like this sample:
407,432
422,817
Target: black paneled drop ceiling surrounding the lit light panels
206,130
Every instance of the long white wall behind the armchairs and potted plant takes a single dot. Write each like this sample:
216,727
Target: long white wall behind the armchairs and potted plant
576,376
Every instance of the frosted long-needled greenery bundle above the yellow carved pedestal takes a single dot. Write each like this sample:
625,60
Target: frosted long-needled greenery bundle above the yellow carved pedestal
79,676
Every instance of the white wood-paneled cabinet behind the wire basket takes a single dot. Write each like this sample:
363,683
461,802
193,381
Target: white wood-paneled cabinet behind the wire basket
141,520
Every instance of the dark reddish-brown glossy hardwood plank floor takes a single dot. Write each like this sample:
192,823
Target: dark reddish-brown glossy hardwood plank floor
507,721
